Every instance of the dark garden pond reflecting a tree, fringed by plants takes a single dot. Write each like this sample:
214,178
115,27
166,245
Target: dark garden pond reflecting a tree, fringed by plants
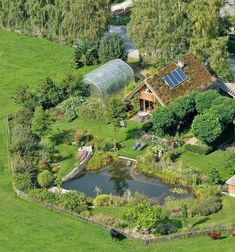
117,179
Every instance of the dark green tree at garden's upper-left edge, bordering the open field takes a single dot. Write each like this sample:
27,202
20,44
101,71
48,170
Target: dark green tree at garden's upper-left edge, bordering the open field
49,95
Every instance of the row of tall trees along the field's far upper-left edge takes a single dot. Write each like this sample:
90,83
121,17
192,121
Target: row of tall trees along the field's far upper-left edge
57,19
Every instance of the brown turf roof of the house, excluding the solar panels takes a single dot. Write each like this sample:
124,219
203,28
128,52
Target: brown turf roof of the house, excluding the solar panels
198,78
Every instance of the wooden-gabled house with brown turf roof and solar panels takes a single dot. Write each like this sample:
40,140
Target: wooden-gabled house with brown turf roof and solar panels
173,81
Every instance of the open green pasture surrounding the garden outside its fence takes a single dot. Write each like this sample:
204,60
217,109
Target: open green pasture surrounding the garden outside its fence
28,227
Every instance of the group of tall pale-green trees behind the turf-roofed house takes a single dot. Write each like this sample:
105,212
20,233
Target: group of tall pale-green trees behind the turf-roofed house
164,29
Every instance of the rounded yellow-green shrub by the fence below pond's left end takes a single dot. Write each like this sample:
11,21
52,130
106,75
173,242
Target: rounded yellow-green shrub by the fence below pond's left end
73,201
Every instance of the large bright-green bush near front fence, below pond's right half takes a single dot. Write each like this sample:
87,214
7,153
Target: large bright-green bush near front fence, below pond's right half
146,215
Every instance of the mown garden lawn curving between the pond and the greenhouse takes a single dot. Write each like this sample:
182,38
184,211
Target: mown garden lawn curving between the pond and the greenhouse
97,129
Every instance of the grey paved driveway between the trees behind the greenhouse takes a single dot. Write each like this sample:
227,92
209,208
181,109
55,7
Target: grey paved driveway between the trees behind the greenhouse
122,30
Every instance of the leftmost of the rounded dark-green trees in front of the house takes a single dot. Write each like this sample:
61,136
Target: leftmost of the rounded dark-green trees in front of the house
164,121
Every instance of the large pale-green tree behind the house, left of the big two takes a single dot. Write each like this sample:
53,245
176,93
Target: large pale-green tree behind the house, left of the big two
160,29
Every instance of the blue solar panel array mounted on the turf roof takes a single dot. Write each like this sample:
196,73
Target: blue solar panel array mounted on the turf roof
175,78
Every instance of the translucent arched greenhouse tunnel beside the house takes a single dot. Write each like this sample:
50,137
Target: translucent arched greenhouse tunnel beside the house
110,78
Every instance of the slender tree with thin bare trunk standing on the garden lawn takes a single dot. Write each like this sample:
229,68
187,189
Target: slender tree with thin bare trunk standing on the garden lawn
115,113
